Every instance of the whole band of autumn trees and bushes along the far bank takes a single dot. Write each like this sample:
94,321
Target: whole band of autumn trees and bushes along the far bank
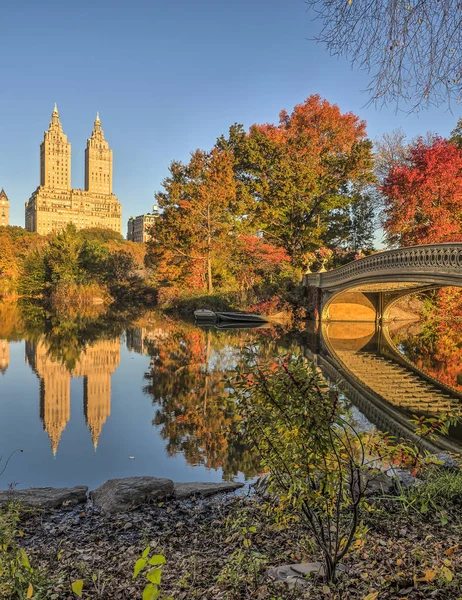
240,223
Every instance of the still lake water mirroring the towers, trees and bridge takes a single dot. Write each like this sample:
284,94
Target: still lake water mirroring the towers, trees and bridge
94,399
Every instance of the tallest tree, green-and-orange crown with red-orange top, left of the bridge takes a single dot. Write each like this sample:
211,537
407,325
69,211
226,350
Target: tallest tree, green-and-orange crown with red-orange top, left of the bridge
293,175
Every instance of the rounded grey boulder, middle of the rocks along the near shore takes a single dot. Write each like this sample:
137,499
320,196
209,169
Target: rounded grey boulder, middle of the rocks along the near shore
118,495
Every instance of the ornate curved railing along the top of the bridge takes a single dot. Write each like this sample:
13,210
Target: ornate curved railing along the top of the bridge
446,258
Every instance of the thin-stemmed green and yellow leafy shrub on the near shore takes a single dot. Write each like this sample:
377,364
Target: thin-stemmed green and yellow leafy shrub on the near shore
319,465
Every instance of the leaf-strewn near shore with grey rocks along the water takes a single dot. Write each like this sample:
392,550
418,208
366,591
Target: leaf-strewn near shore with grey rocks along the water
220,545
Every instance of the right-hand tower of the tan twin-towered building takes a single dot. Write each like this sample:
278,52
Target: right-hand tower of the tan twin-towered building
98,162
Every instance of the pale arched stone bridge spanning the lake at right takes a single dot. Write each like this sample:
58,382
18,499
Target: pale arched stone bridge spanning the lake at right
366,289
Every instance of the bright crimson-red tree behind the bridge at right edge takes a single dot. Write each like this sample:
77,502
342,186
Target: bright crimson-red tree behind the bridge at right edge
423,196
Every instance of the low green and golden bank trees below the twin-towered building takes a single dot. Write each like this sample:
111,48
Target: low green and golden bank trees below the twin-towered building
72,269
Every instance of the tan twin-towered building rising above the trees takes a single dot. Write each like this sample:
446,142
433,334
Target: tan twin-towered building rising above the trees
54,203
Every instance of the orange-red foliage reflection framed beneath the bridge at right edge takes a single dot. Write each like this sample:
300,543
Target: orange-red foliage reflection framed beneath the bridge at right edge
436,346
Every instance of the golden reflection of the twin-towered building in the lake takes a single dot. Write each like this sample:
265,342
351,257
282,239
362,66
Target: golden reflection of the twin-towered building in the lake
96,365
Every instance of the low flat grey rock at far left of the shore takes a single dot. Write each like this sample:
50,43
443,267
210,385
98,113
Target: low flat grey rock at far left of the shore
46,497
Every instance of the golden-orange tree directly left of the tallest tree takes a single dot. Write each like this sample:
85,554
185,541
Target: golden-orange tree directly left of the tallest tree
197,220
